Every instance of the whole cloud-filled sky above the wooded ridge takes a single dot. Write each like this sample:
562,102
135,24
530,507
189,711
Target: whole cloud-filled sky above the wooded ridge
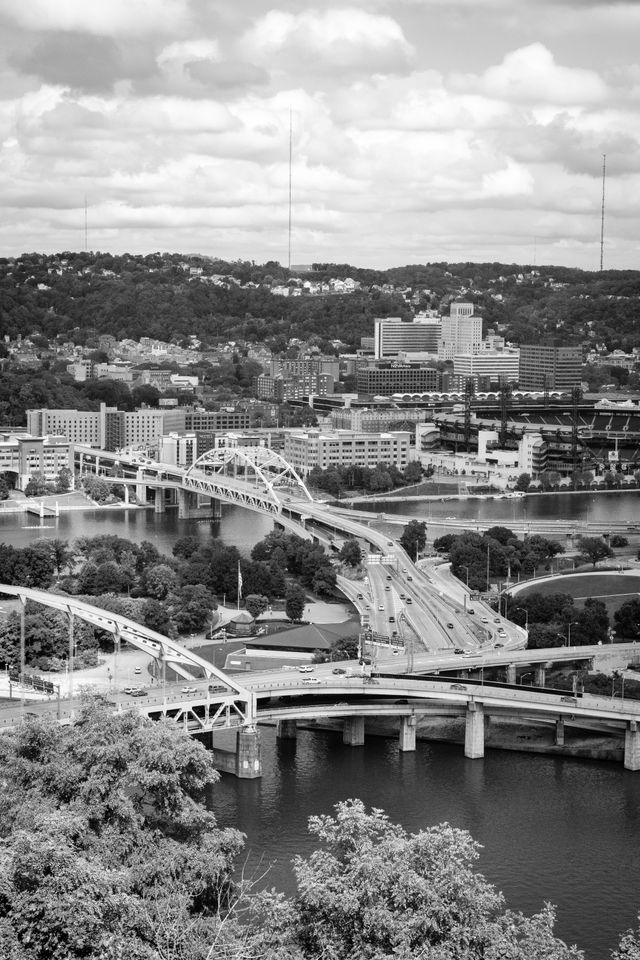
422,129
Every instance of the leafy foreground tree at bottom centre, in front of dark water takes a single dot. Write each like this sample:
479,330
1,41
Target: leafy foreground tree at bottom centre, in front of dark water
374,891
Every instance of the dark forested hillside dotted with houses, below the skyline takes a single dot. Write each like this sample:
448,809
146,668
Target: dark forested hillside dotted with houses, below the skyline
171,297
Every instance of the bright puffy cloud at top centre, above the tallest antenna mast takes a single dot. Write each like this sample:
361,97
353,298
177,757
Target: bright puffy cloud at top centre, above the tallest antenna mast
347,39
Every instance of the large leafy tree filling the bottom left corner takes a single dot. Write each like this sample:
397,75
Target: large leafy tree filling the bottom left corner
108,851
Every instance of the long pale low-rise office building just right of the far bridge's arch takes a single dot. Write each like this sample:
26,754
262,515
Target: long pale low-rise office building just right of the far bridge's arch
306,449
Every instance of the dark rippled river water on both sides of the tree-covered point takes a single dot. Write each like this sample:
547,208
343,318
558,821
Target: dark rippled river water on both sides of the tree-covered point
553,829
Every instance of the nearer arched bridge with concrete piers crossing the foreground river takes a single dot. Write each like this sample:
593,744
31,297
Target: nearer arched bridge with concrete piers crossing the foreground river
214,702
